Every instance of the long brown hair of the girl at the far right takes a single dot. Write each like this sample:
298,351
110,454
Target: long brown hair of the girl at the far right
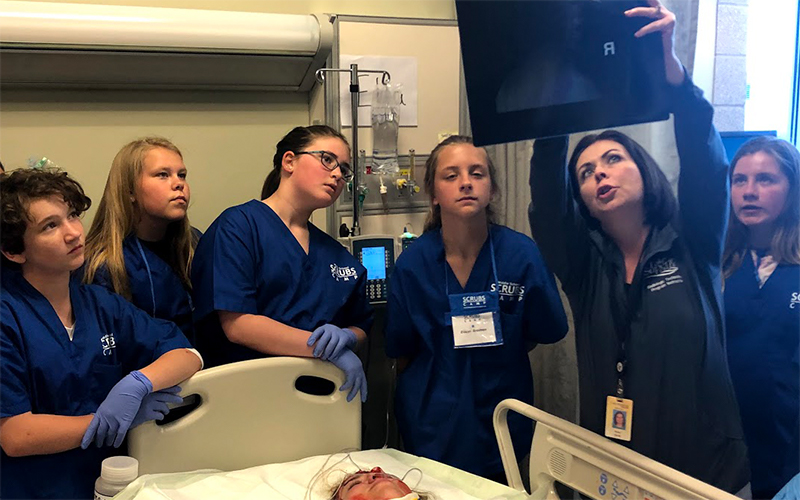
785,245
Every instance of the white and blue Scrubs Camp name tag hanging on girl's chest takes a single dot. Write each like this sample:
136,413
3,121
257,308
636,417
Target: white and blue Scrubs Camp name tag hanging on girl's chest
475,319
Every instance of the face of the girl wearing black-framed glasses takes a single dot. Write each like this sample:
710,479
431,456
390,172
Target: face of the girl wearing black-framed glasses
318,186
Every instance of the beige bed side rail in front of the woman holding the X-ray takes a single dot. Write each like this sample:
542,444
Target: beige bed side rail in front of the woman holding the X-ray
589,463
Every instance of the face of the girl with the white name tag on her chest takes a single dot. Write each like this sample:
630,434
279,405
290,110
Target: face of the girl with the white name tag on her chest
462,186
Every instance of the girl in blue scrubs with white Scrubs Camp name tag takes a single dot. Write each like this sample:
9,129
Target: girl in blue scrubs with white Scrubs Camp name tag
467,302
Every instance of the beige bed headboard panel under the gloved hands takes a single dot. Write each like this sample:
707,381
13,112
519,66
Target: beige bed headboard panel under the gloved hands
251,414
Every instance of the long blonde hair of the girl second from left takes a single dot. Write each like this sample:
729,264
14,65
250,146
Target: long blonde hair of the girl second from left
117,216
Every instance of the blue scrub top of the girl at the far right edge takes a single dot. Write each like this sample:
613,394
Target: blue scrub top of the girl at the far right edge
763,334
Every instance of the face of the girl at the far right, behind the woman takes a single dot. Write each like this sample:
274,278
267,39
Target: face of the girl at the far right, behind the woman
758,190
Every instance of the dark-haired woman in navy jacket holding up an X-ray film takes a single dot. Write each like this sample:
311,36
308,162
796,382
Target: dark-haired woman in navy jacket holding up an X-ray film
643,277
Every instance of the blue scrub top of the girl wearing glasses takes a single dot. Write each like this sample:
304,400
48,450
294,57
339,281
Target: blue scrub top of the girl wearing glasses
249,262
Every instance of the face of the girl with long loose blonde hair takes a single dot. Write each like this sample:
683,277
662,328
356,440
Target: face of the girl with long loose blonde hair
162,193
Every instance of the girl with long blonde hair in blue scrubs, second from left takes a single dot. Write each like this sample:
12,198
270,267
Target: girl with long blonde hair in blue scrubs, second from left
141,244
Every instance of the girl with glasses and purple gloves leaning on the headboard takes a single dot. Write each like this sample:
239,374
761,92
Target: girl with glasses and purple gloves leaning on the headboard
268,282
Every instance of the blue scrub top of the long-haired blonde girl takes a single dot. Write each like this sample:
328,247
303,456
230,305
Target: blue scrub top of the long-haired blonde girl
155,287
